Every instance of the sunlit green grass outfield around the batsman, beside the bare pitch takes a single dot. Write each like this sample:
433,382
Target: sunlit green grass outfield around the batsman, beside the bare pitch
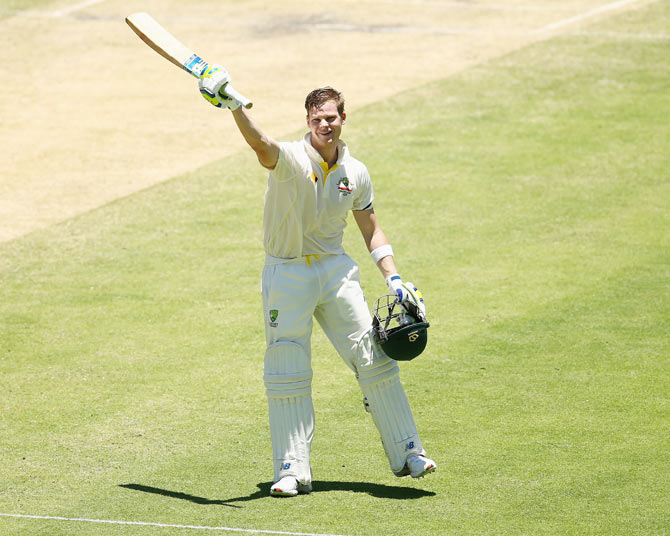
528,198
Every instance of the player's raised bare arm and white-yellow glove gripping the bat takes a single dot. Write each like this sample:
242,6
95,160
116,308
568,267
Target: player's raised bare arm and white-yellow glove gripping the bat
212,86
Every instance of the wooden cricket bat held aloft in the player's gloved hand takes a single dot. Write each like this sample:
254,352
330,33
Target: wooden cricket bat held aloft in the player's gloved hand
168,46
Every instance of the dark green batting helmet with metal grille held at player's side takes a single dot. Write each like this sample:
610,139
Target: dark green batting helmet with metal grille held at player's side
401,330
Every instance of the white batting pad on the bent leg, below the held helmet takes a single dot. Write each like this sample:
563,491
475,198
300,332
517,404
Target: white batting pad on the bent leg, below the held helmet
386,400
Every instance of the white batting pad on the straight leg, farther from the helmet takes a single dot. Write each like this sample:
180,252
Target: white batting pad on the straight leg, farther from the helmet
288,385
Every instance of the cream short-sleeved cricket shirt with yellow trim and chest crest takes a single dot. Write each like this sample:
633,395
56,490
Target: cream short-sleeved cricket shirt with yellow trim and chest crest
306,204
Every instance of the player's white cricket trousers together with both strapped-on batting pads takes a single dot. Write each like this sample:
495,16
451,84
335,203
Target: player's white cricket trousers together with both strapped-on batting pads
326,288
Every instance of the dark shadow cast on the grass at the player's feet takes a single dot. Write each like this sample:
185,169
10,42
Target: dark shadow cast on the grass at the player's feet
380,491
